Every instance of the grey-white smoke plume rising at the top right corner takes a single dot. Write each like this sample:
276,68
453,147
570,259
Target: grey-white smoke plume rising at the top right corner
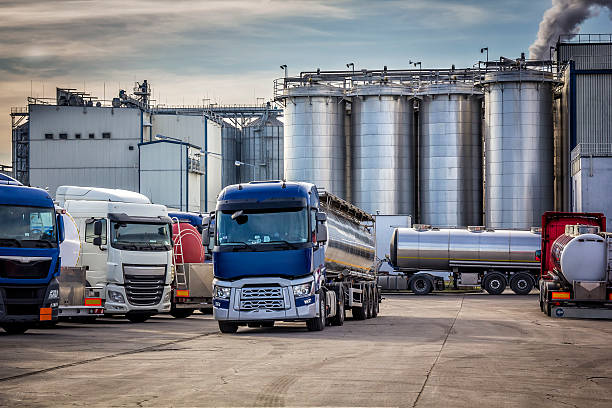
564,17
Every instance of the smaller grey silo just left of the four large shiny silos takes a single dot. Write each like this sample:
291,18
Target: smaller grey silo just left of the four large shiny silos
261,150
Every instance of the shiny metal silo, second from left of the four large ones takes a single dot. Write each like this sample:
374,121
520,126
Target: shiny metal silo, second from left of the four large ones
383,147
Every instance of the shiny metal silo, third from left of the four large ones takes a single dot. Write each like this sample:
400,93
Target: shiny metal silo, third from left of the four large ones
450,155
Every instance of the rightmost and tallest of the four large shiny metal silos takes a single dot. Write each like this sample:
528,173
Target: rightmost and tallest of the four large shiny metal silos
518,135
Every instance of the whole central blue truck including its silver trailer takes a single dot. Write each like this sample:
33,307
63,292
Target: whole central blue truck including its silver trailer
283,251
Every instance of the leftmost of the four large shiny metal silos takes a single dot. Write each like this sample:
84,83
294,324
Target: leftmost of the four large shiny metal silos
314,144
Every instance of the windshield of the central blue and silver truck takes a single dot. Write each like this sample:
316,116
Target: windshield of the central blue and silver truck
250,227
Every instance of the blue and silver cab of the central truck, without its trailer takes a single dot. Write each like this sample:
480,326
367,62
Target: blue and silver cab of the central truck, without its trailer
268,254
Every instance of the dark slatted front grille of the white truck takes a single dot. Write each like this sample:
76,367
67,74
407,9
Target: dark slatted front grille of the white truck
144,285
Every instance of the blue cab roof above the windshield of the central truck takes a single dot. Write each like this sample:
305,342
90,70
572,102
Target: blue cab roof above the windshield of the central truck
267,194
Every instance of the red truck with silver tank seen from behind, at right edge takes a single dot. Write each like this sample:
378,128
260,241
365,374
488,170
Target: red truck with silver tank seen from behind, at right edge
576,266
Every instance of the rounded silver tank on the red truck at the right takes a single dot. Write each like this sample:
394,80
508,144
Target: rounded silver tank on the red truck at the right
580,254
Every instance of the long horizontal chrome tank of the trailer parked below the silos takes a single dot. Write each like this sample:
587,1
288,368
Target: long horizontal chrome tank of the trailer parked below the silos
426,248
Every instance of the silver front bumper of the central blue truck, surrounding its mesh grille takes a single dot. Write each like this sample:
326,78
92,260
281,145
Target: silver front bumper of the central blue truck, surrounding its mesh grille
292,310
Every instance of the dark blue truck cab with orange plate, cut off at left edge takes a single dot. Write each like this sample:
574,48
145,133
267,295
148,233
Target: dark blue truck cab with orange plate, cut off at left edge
30,237
